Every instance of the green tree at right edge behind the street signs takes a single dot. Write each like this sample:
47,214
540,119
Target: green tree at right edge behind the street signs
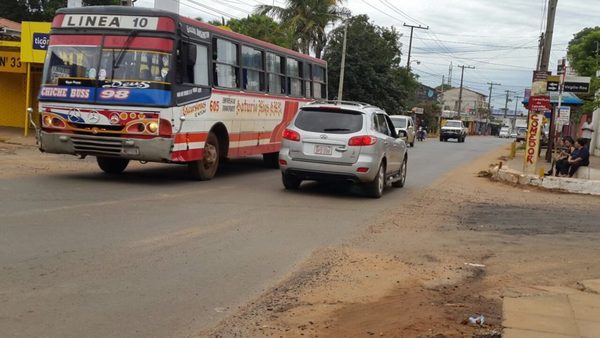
583,57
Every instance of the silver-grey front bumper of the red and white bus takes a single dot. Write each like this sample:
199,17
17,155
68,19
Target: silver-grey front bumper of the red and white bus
152,150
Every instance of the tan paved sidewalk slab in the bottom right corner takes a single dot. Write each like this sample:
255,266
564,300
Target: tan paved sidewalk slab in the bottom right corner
562,313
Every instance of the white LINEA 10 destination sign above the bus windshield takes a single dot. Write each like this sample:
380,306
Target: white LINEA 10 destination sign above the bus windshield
109,21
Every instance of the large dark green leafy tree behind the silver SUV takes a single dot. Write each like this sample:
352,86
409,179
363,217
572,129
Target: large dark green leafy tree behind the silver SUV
373,73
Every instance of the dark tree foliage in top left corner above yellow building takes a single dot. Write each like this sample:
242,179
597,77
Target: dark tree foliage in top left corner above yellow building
39,10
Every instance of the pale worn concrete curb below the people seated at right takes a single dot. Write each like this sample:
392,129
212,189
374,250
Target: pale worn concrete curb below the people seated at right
562,184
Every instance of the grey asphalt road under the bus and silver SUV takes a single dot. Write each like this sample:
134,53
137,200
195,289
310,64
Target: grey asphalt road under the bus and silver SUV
152,254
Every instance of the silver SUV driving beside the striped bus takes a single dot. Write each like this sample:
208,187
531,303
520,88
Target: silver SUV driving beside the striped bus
349,141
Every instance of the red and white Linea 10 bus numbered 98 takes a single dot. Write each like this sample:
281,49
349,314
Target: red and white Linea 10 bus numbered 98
124,83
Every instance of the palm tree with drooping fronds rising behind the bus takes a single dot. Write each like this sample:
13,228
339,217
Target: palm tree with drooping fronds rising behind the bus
307,19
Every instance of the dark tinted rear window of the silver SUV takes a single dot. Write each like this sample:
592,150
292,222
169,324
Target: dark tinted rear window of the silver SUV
331,122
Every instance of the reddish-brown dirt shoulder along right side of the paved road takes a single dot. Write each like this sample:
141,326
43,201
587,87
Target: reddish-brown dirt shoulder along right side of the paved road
452,251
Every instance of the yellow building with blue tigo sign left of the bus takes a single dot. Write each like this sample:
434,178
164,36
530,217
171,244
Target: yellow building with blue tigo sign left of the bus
22,53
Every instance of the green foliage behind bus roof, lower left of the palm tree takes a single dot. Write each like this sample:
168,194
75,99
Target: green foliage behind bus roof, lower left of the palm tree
263,28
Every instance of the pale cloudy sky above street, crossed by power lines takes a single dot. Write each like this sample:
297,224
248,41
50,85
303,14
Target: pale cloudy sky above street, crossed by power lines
497,37
